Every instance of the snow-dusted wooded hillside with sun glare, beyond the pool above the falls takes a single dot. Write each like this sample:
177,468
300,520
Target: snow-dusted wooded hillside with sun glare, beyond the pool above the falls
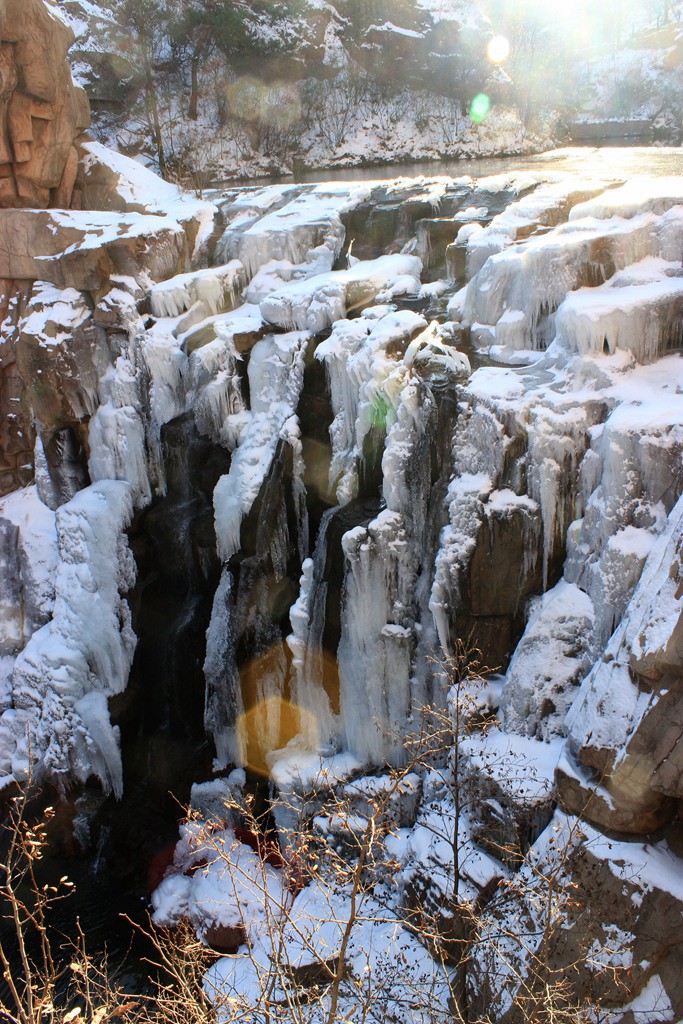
207,92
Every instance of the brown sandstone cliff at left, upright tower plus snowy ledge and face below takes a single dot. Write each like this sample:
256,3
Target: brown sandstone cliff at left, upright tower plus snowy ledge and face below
72,222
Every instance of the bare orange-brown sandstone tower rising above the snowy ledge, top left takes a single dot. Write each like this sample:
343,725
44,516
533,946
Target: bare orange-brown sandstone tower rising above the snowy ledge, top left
42,113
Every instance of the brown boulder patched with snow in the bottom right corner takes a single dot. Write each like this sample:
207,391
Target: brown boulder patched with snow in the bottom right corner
604,915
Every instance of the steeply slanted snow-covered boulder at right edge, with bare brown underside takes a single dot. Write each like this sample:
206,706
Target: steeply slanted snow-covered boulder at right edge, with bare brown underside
624,769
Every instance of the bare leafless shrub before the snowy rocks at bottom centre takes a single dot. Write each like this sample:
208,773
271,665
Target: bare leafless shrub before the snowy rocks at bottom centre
312,909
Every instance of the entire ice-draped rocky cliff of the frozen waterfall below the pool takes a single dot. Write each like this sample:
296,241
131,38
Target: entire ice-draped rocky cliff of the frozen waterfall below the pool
253,487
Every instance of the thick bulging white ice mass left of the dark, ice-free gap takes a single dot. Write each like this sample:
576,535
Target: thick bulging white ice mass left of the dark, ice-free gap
59,724
